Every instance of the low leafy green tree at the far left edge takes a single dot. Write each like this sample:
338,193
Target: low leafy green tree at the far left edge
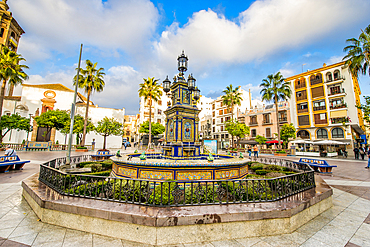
13,122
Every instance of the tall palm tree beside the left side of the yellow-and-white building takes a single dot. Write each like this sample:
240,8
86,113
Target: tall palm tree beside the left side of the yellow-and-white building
275,88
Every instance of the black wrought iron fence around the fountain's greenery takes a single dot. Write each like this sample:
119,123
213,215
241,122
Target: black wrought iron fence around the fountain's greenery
179,193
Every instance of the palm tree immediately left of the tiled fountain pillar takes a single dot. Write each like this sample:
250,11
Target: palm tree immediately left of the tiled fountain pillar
151,91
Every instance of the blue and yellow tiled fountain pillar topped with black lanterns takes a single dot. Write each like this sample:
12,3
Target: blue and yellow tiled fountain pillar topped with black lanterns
182,139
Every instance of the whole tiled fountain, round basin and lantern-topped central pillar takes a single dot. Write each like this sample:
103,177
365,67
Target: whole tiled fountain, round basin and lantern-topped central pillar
181,157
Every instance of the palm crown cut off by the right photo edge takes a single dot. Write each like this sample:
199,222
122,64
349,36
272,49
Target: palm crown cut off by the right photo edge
358,53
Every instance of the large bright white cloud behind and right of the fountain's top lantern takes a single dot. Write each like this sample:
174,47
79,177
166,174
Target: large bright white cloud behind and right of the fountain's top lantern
265,28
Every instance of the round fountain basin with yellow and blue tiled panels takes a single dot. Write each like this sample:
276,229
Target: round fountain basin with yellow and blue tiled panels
156,167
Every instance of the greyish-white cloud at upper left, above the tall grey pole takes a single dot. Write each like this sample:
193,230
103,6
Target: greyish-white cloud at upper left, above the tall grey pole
59,24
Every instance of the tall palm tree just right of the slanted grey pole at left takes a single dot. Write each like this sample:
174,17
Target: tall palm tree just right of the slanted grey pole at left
91,79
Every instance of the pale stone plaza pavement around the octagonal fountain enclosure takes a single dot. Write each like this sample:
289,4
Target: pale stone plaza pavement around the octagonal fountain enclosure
347,223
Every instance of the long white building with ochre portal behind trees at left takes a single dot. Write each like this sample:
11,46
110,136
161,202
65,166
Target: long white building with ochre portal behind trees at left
43,97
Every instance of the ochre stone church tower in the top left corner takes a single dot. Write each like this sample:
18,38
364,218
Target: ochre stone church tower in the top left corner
10,30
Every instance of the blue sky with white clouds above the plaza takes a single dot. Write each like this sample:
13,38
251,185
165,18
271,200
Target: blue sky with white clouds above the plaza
227,42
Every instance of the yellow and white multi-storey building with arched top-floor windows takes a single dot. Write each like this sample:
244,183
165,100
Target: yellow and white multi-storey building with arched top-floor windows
323,105
